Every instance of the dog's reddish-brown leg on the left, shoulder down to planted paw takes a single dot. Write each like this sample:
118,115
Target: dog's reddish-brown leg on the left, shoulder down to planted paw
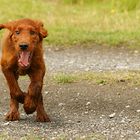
15,93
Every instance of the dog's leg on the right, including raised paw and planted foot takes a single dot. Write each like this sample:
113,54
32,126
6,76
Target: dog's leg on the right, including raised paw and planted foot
33,100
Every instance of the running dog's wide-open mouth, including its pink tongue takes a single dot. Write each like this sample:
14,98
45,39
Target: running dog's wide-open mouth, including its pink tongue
24,58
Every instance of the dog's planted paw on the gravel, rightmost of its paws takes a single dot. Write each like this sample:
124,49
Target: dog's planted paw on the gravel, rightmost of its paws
43,118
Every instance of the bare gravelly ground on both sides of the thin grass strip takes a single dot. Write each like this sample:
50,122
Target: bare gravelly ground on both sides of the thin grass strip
80,110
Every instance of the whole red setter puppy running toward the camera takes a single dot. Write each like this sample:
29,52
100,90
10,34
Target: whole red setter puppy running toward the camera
22,54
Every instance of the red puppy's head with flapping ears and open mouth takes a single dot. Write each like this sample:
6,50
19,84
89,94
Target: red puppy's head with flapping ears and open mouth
25,35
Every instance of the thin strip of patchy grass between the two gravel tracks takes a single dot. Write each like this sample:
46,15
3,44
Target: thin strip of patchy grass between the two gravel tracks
99,78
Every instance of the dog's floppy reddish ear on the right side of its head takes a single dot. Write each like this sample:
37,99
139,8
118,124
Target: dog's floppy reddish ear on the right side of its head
43,32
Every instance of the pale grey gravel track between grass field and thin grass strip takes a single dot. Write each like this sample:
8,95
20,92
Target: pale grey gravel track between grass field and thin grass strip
92,59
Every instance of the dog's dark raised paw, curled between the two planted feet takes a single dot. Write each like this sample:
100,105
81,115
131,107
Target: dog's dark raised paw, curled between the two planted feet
29,105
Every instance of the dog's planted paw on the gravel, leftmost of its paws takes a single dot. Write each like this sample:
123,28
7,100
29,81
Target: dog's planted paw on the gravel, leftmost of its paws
12,116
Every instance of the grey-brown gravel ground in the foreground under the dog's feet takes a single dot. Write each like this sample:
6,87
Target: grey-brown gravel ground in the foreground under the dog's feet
79,111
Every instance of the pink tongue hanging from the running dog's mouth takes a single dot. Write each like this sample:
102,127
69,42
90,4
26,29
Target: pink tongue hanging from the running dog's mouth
24,58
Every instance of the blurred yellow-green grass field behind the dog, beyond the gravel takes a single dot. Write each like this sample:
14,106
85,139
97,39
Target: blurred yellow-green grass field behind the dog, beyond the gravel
73,22
